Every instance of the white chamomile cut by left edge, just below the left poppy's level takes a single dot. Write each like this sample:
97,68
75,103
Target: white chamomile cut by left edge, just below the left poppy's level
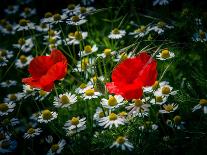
6,108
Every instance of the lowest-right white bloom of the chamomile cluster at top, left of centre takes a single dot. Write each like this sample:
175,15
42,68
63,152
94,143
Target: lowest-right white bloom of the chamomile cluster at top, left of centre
76,20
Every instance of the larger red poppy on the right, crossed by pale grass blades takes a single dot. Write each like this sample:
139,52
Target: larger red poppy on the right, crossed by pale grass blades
131,75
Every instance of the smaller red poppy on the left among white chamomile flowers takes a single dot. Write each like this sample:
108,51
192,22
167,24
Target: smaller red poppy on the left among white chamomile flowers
45,70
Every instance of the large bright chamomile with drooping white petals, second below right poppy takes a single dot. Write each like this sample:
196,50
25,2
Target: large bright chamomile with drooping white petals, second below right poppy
110,120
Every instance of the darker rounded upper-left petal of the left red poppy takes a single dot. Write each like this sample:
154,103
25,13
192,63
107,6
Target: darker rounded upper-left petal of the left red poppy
39,66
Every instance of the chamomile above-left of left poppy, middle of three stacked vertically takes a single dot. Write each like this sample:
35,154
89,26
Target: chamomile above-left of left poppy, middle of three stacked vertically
25,45
